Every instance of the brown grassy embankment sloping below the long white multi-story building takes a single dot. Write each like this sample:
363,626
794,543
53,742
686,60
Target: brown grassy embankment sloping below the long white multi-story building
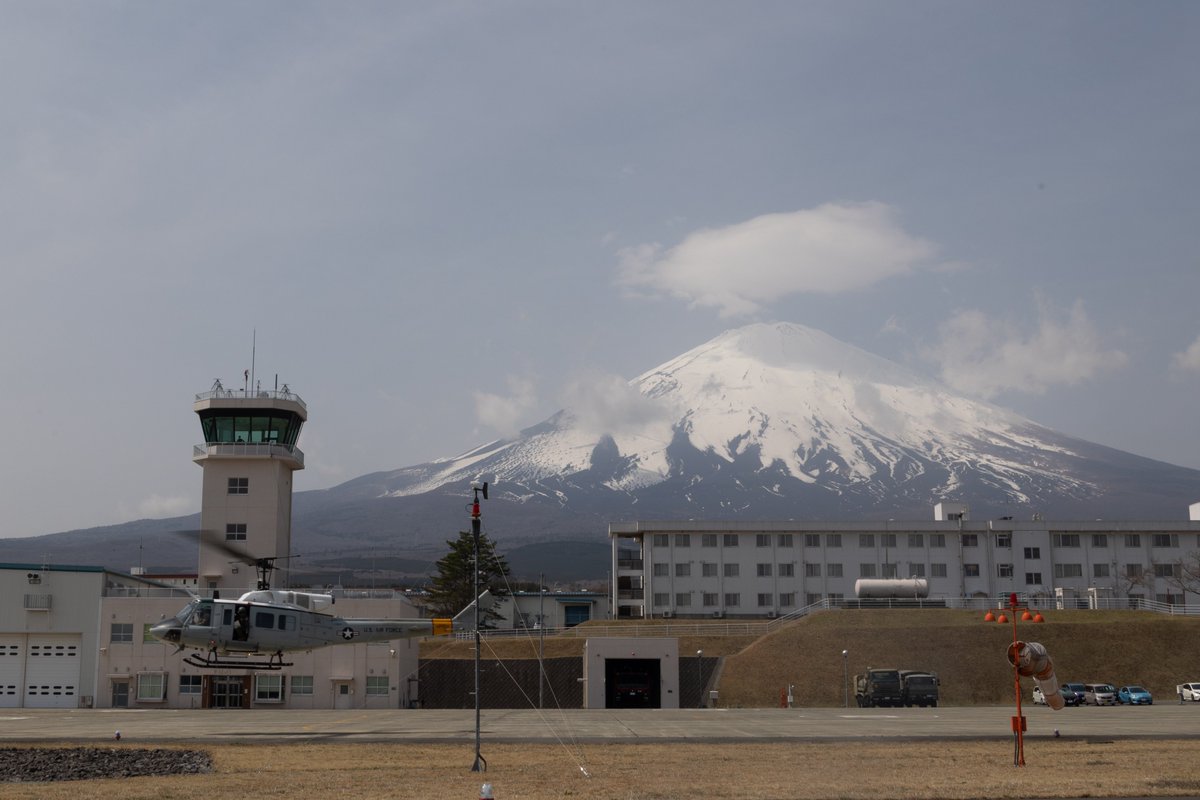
968,654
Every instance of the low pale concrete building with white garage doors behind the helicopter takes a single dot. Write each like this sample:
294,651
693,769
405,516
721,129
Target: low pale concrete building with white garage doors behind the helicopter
79,637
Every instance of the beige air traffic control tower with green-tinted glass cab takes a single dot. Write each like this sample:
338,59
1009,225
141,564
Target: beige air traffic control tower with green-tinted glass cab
249,456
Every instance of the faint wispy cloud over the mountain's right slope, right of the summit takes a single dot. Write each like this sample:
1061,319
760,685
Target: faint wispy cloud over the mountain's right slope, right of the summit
988,357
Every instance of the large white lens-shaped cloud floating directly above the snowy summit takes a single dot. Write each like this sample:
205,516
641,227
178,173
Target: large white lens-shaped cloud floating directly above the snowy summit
742,268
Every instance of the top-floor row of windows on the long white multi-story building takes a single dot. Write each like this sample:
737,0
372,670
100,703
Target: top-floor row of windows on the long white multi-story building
914,540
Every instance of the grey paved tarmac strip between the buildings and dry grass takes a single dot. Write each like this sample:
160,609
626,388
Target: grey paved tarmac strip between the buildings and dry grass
1171,721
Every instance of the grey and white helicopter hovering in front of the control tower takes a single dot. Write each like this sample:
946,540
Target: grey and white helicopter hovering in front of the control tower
256,630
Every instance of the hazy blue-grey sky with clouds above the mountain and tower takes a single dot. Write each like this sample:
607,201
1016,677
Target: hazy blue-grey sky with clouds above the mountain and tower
443,219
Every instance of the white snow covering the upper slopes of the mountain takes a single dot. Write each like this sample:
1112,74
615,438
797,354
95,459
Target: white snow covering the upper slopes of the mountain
789,402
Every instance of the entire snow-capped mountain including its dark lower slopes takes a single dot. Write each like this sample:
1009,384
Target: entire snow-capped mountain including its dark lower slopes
770,422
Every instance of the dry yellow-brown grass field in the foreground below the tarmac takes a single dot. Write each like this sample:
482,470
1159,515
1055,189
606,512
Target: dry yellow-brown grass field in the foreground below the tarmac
932,771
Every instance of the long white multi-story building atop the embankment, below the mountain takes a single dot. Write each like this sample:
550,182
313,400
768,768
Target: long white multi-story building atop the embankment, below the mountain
767,569
